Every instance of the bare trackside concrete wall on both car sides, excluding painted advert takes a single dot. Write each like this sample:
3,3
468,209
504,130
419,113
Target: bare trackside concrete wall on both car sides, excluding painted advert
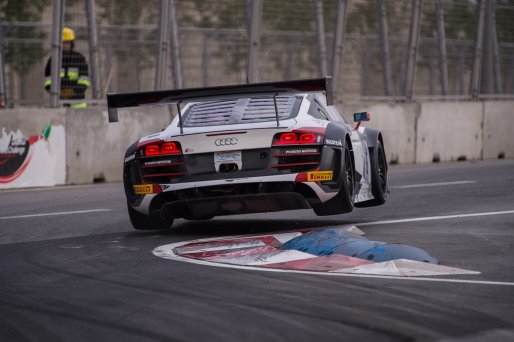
423,132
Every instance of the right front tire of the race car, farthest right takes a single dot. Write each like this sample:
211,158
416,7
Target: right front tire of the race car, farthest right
378,177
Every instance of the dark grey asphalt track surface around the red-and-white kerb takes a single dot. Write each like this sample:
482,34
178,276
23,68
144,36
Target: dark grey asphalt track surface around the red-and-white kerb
73,269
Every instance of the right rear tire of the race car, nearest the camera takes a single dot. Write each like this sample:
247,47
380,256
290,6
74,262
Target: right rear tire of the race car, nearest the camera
343,201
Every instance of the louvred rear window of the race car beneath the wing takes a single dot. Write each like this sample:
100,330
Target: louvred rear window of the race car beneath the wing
241,111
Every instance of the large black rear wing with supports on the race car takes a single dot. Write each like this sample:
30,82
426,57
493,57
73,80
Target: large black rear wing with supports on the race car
115,101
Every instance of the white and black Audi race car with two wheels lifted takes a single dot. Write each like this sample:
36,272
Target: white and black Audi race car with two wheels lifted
250,148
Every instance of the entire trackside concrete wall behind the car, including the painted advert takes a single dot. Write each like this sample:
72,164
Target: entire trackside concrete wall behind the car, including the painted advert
79,146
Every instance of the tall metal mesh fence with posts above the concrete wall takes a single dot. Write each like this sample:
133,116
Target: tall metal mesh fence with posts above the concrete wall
375,49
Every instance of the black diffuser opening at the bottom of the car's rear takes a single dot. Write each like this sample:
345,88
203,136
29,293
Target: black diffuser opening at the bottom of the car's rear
230,205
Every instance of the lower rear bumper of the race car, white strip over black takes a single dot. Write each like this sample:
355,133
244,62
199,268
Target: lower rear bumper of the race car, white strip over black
281,188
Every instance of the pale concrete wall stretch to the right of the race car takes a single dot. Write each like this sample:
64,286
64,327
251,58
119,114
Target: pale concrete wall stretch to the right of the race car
432,131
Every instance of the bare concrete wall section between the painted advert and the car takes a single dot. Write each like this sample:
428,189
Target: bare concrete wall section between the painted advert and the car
95,148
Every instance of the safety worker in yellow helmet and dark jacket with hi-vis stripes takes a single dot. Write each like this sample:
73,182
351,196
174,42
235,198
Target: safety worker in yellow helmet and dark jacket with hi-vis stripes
74,74
